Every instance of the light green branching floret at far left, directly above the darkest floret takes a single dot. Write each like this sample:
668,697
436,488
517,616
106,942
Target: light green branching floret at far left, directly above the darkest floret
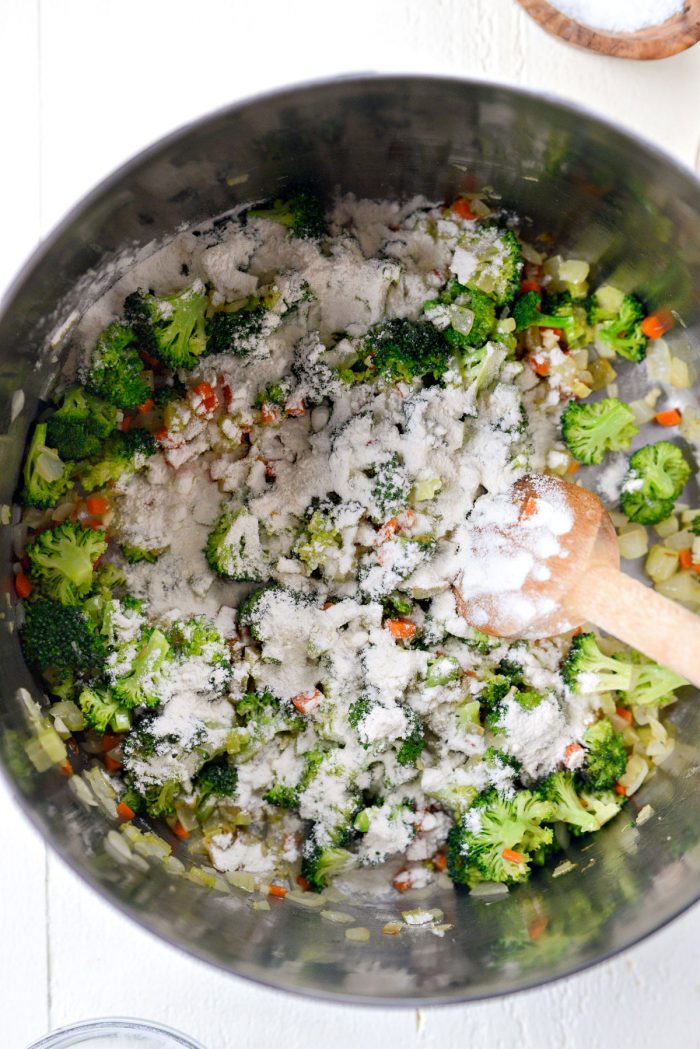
62,561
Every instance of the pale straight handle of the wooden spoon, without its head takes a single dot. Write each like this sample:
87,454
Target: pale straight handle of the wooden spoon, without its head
640,616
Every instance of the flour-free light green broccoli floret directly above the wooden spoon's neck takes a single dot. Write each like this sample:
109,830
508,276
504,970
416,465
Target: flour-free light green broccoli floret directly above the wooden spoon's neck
590,431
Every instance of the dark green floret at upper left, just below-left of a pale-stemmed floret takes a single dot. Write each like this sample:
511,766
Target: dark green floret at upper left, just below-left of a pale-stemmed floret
116,371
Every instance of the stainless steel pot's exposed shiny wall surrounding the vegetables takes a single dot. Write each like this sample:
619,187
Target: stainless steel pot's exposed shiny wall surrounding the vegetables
605,197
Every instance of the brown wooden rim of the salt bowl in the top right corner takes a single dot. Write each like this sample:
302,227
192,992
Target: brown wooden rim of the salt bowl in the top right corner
675,35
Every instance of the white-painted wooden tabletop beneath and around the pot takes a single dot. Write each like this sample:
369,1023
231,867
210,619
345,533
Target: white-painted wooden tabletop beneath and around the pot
83,85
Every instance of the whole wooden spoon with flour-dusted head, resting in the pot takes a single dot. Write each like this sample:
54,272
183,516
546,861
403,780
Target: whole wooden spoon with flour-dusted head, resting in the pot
585,585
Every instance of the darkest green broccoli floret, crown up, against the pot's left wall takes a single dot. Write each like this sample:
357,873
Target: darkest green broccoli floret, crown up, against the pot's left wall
61,639
